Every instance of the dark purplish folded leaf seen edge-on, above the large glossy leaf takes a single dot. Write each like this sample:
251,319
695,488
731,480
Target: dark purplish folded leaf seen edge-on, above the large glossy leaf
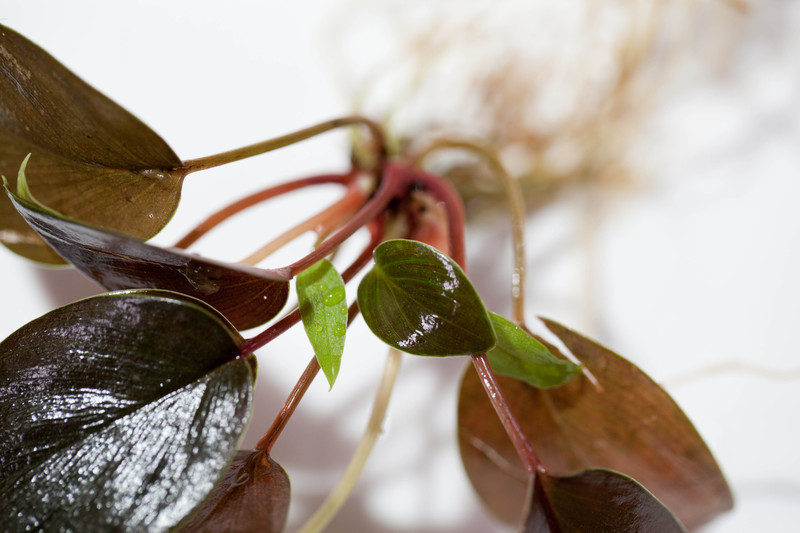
247,296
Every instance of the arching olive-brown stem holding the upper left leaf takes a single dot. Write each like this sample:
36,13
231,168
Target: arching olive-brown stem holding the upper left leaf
203,163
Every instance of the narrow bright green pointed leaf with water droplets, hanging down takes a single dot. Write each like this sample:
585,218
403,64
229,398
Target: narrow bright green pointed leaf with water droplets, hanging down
321,298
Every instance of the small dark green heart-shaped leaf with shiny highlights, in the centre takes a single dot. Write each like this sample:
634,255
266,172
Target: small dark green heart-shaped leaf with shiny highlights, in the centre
418,300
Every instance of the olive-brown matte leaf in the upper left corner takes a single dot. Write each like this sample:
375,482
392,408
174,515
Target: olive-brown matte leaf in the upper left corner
92,160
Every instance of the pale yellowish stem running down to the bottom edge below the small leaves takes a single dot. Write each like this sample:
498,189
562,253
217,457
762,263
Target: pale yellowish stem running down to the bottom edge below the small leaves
352,473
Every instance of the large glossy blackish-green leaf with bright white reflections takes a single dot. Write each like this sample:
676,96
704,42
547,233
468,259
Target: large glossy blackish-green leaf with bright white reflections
118,412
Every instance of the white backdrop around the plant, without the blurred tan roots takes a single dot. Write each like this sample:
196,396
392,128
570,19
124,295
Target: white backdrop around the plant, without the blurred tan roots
694,272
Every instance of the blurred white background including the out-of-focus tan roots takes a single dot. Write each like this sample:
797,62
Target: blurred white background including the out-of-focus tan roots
658,146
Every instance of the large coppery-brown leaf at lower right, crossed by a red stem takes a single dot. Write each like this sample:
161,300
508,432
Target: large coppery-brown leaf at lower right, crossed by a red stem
630,425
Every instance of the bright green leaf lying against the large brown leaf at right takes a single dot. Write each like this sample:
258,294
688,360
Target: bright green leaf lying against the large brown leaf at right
519,355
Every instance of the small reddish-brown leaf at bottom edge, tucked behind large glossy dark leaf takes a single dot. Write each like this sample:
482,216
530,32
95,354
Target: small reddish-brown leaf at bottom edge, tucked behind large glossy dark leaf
252,497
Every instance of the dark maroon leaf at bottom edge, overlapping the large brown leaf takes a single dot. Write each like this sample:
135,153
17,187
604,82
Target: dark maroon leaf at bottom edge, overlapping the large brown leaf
596,500
